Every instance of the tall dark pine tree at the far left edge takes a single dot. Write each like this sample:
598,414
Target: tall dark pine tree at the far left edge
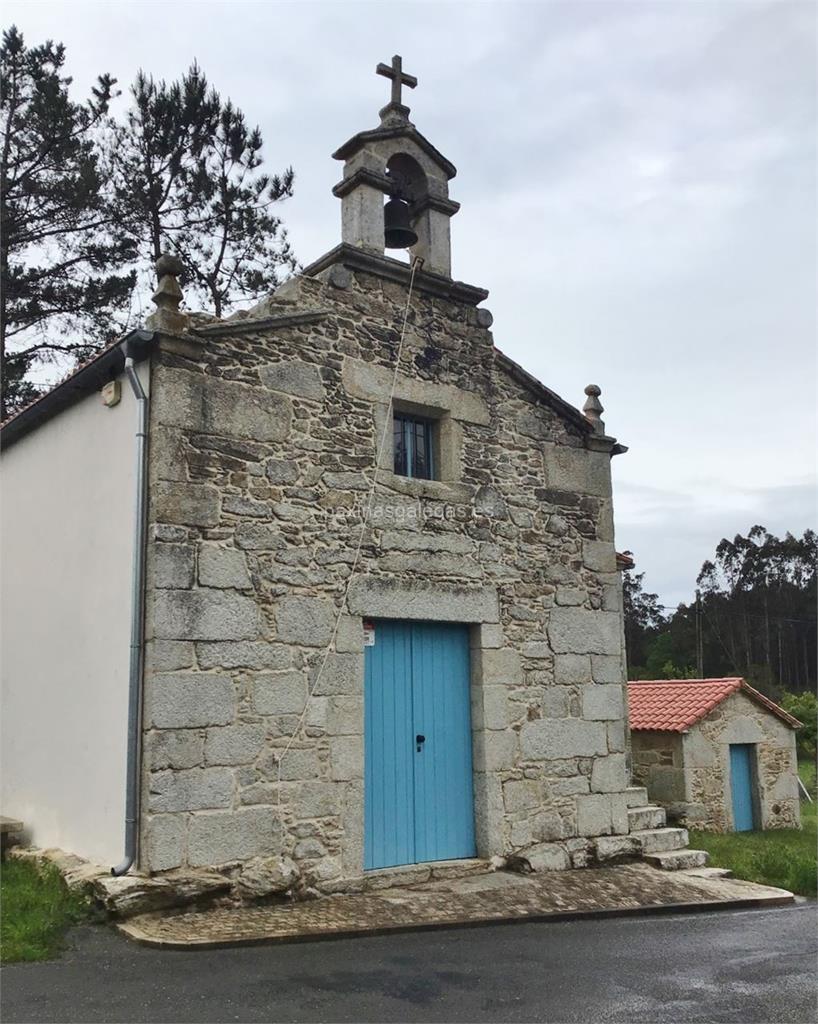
61,293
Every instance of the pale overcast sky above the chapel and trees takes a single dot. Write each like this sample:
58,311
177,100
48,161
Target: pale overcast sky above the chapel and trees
638,190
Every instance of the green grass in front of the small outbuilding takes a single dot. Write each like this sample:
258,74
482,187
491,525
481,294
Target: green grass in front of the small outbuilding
784,858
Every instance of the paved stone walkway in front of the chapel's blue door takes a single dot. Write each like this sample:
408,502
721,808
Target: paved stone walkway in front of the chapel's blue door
501,897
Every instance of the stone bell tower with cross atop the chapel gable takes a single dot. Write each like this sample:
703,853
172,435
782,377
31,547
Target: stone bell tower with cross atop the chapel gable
395,161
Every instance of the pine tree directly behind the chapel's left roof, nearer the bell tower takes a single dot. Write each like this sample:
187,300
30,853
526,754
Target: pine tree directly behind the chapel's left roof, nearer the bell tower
188,181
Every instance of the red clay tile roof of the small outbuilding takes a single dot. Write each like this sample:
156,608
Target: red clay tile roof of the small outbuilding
675,705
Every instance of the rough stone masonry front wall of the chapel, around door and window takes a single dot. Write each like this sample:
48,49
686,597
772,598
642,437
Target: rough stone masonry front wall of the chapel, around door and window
265,433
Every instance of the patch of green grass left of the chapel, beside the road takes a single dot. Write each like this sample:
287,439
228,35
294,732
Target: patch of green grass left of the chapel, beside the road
36,911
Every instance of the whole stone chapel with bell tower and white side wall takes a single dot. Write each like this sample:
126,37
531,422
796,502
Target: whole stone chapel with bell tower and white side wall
376,620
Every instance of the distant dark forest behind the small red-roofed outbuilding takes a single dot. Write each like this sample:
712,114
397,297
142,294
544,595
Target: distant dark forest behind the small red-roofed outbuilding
756,618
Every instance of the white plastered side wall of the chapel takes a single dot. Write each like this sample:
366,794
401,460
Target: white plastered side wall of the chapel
67,505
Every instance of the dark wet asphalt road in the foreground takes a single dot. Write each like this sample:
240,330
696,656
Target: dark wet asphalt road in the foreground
733,966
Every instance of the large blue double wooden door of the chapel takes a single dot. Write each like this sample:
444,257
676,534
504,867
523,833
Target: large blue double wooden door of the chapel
418,772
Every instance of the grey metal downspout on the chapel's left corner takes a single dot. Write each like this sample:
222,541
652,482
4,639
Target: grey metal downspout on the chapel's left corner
138,623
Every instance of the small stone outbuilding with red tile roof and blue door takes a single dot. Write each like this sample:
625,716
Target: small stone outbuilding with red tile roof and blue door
716,753
